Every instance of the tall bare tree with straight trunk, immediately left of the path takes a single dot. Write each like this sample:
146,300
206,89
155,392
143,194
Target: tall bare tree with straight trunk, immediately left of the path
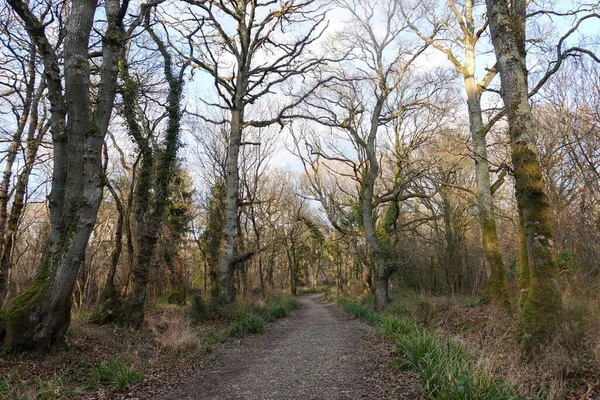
247,66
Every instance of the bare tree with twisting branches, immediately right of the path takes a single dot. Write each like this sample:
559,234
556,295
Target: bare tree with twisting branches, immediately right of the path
361,105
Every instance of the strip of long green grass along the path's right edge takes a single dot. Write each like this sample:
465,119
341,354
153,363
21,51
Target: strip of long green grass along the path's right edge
445,369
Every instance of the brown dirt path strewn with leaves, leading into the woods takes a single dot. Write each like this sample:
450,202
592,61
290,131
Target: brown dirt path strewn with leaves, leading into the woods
317,353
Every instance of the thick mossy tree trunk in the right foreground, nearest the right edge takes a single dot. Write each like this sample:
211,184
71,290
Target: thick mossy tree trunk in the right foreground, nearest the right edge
542,308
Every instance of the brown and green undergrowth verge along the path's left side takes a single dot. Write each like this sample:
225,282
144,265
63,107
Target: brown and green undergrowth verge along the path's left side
172,331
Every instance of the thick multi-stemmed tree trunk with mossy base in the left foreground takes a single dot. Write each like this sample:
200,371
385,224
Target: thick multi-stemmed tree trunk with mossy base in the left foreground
39,316
